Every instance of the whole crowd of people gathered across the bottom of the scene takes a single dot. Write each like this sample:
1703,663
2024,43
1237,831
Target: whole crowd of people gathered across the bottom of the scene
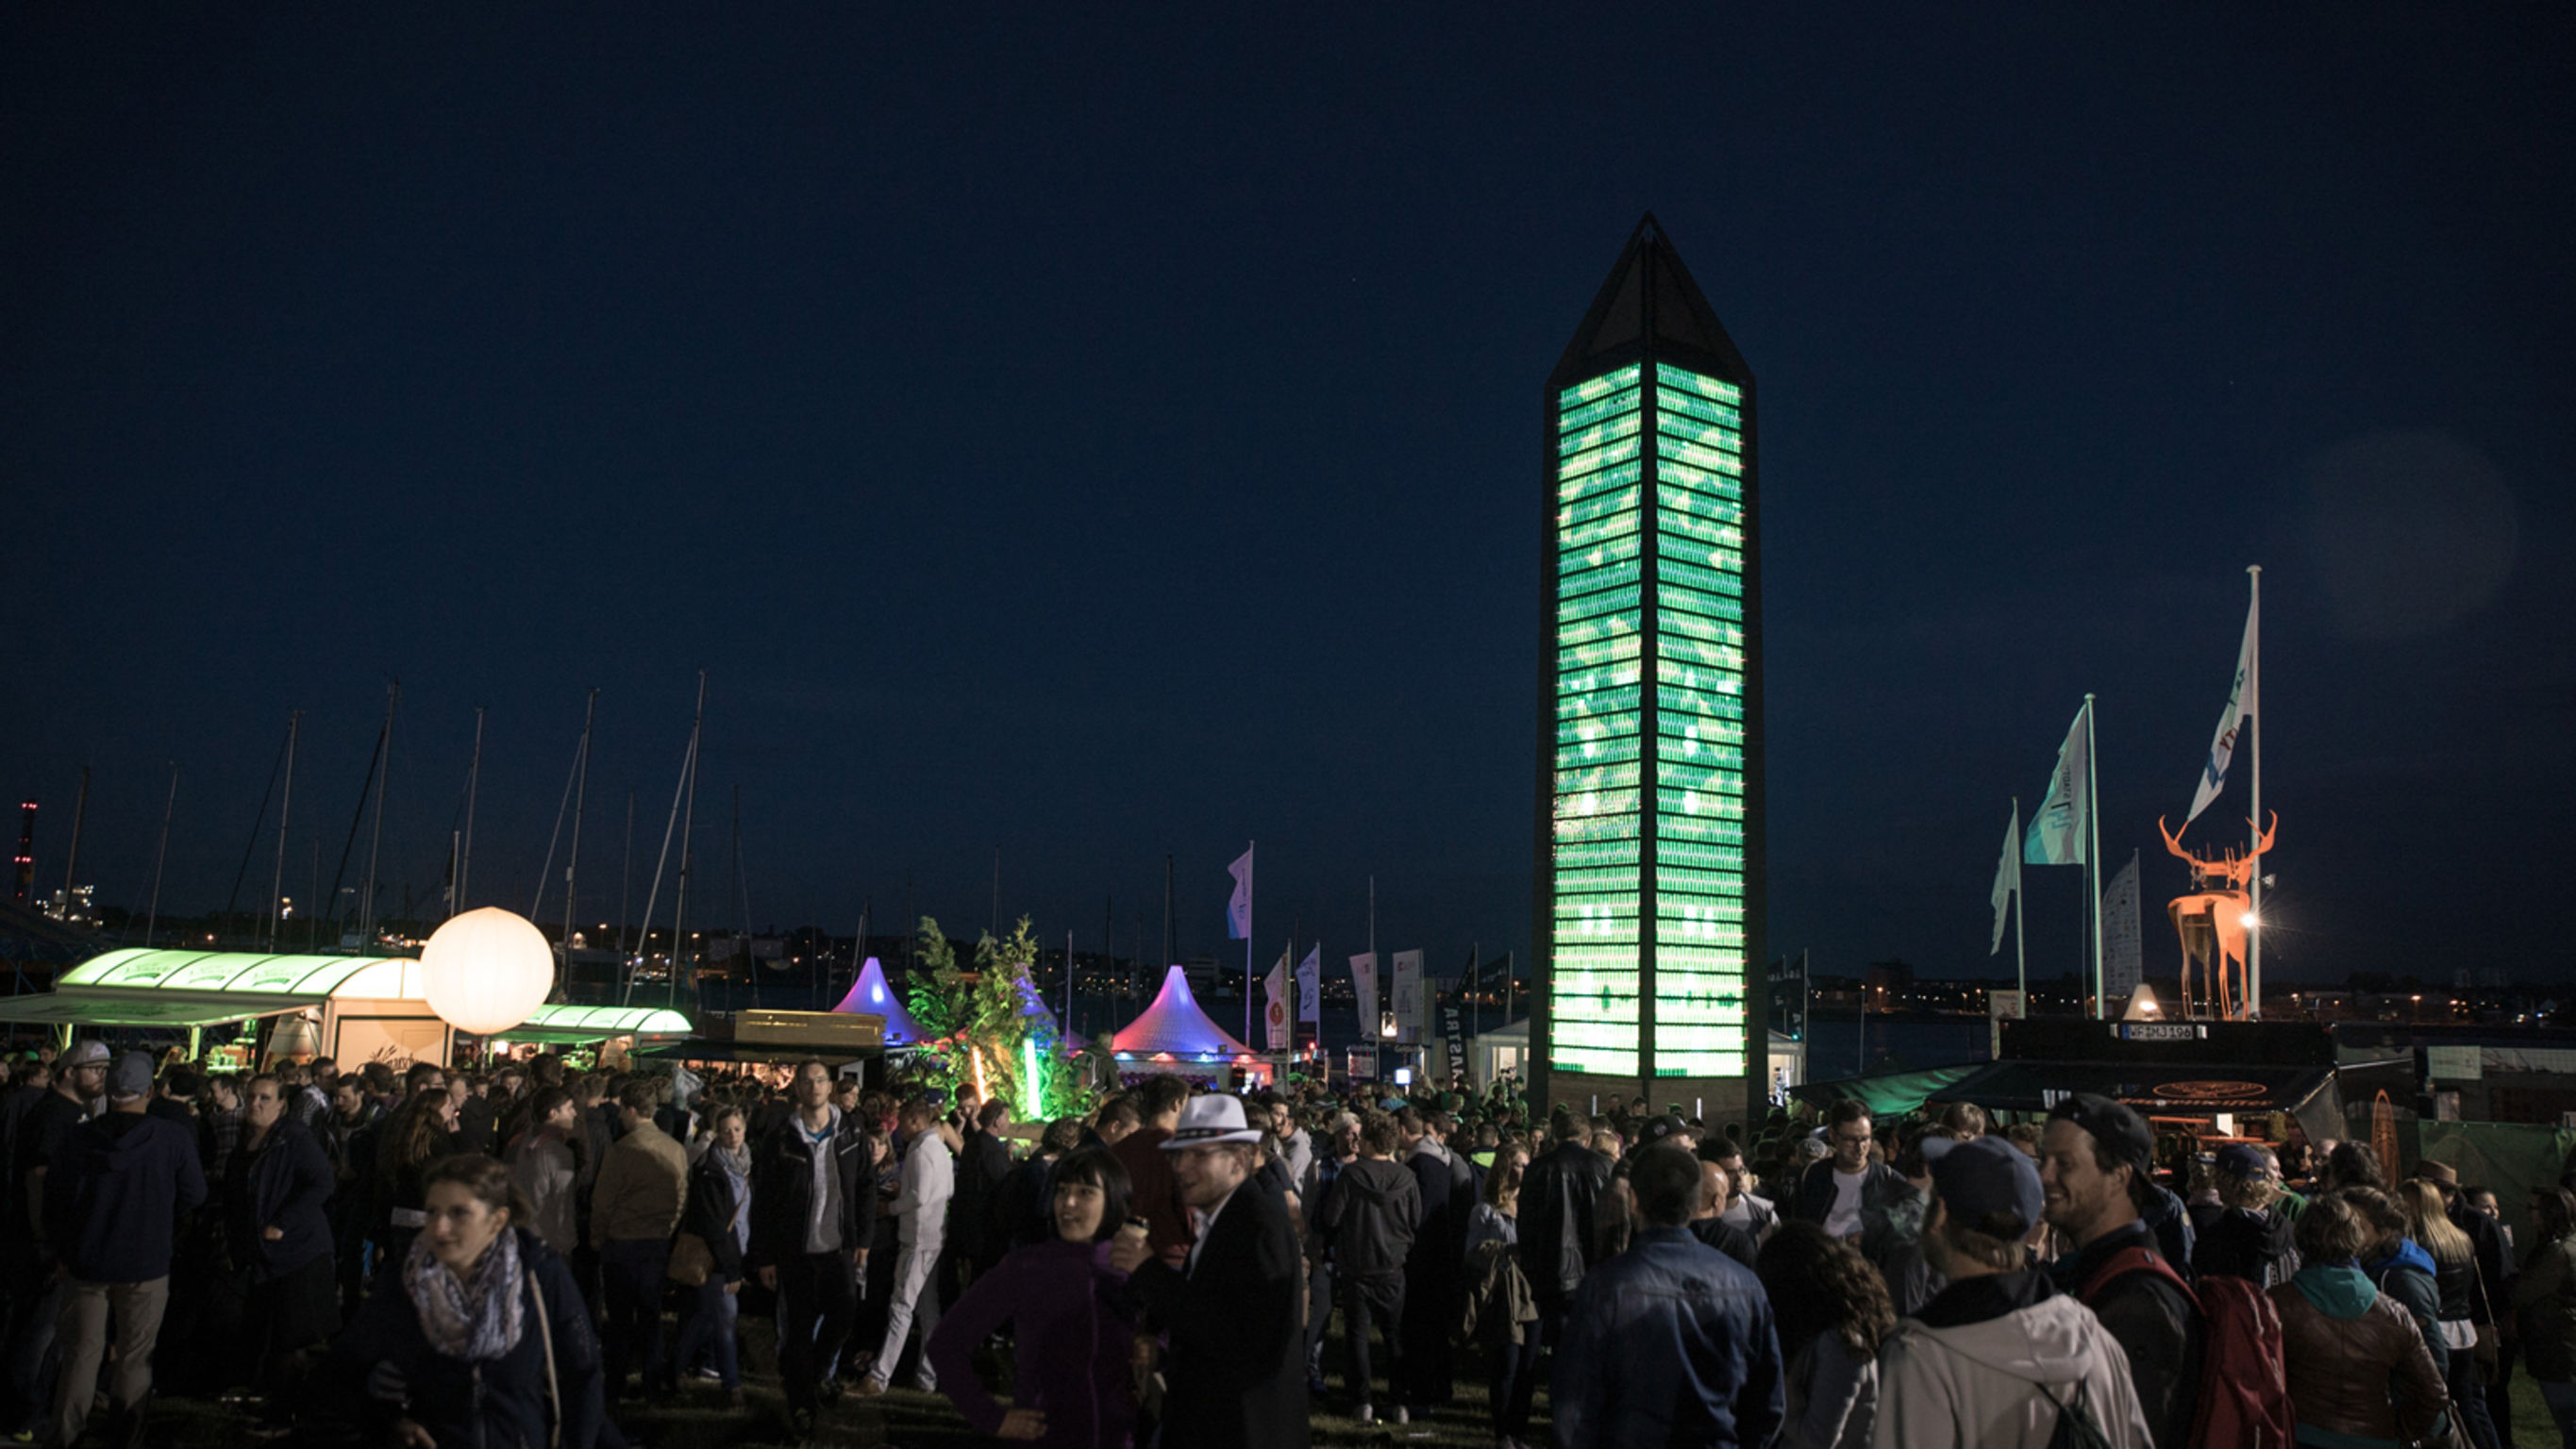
511,1257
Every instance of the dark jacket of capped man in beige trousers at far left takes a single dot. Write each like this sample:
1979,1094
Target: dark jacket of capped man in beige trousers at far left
115,1195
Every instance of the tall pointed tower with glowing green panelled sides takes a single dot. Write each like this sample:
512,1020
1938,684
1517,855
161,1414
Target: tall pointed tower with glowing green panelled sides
1650,699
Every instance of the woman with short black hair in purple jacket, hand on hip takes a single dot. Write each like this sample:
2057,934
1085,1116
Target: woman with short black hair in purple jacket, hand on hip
1070,1322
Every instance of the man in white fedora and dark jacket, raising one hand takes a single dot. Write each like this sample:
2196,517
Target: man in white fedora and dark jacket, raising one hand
1238,1368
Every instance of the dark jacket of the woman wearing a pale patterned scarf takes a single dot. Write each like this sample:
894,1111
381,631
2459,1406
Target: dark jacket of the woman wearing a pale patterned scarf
480,1407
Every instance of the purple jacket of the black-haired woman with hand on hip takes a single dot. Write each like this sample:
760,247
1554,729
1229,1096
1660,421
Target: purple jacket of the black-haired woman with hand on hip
1073,1332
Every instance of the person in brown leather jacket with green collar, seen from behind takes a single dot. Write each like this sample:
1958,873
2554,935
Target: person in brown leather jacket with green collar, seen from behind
2356,1363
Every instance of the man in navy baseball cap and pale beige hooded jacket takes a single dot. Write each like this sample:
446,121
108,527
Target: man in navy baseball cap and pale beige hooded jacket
2000,1355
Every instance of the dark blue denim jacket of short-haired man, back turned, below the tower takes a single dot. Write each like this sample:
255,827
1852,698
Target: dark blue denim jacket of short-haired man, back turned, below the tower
1668,1345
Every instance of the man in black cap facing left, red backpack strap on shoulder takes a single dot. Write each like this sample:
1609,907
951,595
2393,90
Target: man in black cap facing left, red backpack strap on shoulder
2096,1162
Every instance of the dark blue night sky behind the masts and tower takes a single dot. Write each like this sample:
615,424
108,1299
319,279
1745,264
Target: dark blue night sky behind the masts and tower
1117,434
